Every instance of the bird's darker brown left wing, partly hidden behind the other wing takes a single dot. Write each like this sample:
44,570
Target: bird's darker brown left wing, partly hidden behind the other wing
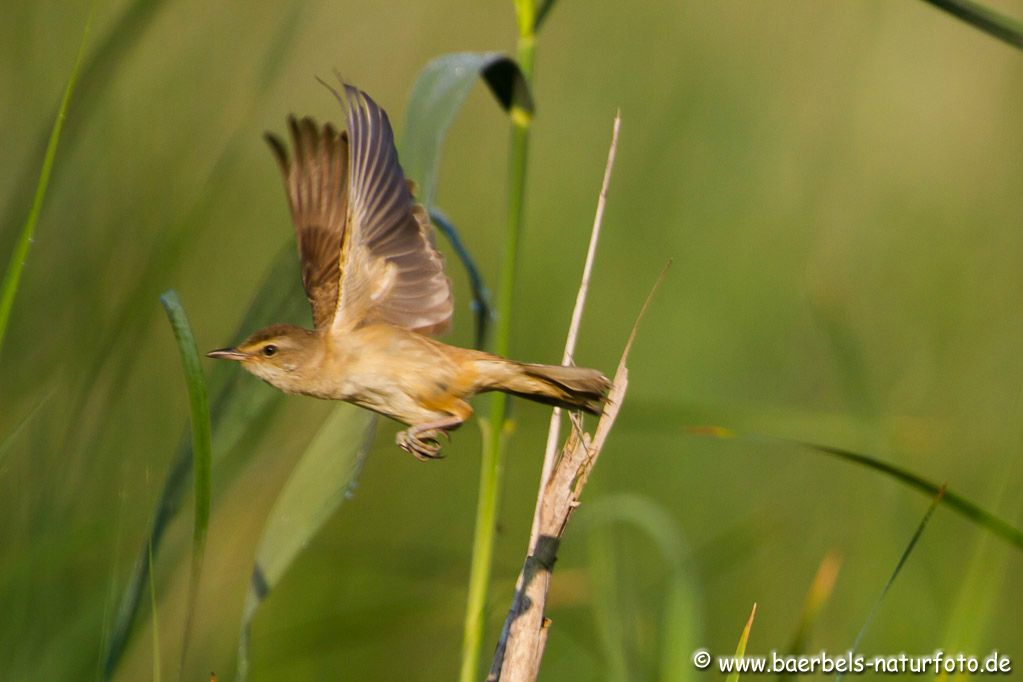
318,191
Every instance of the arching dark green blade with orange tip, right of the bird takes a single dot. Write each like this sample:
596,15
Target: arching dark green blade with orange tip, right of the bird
967,509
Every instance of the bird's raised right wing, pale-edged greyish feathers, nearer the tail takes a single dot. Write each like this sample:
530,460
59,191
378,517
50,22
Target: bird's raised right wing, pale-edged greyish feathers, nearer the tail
390,270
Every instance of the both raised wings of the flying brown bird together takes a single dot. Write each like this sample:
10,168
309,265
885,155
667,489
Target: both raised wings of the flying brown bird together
367,247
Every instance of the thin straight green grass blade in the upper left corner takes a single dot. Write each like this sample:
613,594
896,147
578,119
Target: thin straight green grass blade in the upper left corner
13,277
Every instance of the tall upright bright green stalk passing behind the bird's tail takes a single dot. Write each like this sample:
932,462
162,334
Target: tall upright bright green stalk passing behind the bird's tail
495,432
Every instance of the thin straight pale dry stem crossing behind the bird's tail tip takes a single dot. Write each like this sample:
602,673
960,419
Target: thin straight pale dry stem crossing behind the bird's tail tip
554,433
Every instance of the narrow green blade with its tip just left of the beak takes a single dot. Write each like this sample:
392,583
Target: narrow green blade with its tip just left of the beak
202,441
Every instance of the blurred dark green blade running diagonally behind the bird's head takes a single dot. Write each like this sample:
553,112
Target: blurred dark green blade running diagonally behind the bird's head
238,411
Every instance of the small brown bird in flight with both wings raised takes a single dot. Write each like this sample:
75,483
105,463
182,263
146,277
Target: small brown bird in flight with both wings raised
379,292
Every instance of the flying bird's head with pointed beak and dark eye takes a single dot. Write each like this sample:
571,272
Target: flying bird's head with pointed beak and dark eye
278,354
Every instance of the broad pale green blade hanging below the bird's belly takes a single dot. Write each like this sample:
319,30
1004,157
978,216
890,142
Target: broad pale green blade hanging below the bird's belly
325,477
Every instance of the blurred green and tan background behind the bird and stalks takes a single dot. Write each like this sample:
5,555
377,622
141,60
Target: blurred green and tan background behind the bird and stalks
838,184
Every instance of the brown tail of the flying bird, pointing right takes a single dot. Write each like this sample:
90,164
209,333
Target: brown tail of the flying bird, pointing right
571,388
